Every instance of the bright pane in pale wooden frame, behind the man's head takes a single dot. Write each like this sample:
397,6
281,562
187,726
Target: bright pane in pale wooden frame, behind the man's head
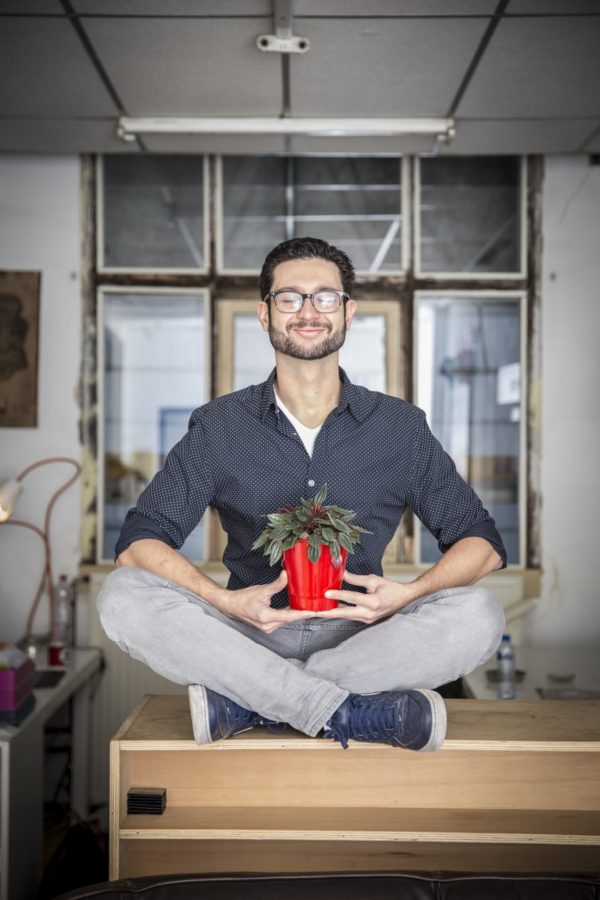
363,355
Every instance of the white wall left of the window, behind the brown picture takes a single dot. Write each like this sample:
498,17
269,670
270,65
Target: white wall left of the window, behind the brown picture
39,231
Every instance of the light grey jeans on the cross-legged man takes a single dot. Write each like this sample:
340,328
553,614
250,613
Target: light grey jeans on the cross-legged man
301,672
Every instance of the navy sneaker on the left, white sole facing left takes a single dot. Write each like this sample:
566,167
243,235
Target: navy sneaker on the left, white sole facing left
215,717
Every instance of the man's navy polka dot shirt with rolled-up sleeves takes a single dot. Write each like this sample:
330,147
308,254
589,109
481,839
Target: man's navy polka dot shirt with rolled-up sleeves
243,457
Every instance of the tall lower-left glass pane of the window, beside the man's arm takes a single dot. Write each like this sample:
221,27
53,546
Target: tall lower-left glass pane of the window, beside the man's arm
154,378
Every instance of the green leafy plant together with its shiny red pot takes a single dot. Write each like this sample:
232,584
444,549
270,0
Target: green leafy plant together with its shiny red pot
314,540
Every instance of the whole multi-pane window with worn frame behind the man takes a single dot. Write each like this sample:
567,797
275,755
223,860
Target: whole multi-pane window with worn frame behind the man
448,331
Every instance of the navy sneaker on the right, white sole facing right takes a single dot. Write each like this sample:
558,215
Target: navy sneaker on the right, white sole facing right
415,720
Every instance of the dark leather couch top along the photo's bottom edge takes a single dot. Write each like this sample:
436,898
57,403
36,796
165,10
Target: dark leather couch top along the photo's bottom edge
344,887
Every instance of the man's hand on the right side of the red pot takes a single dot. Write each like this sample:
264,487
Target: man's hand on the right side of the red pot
383,599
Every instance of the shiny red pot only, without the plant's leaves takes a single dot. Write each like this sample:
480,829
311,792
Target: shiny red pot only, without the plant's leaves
308,581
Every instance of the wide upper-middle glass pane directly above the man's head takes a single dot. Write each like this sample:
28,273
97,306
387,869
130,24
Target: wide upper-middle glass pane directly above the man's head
353,202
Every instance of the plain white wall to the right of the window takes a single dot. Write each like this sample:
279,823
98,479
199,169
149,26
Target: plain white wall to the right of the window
569,609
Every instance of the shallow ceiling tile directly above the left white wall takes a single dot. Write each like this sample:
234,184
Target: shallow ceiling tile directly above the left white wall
61,136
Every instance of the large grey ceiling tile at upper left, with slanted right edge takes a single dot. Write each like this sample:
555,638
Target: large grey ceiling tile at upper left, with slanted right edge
44,70
